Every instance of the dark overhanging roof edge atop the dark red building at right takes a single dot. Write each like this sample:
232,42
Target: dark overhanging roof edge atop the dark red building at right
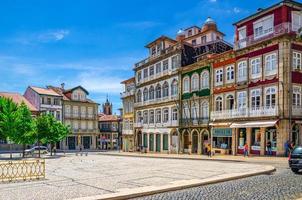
263,11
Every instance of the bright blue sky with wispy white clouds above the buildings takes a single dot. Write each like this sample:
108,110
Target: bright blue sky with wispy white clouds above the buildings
94,43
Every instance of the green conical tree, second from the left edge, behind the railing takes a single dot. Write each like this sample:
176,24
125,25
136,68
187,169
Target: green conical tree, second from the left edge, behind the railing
25,134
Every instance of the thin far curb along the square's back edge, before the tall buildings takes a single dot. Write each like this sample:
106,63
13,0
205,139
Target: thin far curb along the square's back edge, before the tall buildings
173,158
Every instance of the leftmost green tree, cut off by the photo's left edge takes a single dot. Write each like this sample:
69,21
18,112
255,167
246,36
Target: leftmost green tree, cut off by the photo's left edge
8,120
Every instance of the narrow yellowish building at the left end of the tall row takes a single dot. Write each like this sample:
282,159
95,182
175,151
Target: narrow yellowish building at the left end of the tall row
128,114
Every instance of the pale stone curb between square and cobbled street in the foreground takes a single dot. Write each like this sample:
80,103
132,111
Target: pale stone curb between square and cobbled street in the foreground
178,185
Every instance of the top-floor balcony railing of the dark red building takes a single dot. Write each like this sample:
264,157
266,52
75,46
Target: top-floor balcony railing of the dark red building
278,30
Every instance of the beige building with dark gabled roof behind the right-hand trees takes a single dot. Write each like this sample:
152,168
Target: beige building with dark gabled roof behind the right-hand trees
81,114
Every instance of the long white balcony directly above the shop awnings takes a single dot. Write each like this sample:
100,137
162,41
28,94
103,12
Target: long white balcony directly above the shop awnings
244,113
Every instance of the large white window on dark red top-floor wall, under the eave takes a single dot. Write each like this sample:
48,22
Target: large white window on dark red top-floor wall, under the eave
263,27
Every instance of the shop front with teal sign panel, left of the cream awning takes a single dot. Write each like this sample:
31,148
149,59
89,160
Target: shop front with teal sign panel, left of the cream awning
222,140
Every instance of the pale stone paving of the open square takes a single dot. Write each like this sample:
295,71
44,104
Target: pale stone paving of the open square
73,177
